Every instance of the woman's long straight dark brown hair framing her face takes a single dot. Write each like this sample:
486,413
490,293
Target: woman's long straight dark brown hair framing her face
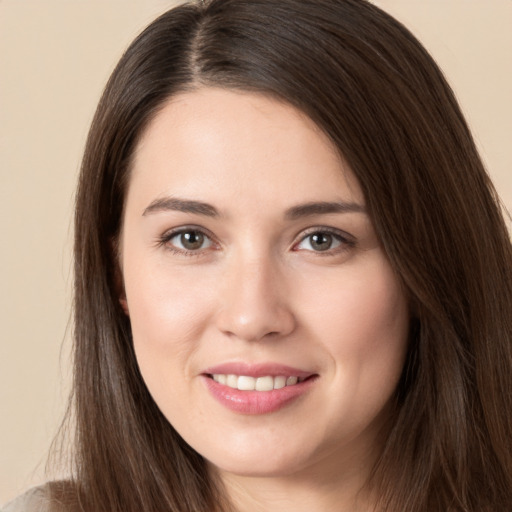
375,91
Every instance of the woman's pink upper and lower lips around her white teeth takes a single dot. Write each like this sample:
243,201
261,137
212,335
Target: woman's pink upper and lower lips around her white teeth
257,402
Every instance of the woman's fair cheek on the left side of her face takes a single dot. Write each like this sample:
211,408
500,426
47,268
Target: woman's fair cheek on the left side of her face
167,312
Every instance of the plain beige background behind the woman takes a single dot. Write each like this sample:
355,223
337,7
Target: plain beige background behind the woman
55,56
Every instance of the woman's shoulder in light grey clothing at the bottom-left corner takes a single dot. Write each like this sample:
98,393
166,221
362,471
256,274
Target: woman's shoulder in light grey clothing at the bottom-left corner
50,497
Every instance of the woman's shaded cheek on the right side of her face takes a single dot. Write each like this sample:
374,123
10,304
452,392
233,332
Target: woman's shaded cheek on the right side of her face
363,323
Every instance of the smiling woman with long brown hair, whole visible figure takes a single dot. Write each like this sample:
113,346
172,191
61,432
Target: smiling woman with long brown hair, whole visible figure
293,280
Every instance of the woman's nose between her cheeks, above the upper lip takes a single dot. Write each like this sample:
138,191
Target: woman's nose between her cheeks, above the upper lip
254,303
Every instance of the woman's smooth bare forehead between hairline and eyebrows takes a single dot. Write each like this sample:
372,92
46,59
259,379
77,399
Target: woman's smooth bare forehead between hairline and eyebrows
238,146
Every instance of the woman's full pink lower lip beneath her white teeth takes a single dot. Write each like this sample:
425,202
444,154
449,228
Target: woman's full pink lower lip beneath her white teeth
257,402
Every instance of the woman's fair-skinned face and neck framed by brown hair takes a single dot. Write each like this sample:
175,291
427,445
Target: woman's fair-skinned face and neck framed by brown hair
229,269
